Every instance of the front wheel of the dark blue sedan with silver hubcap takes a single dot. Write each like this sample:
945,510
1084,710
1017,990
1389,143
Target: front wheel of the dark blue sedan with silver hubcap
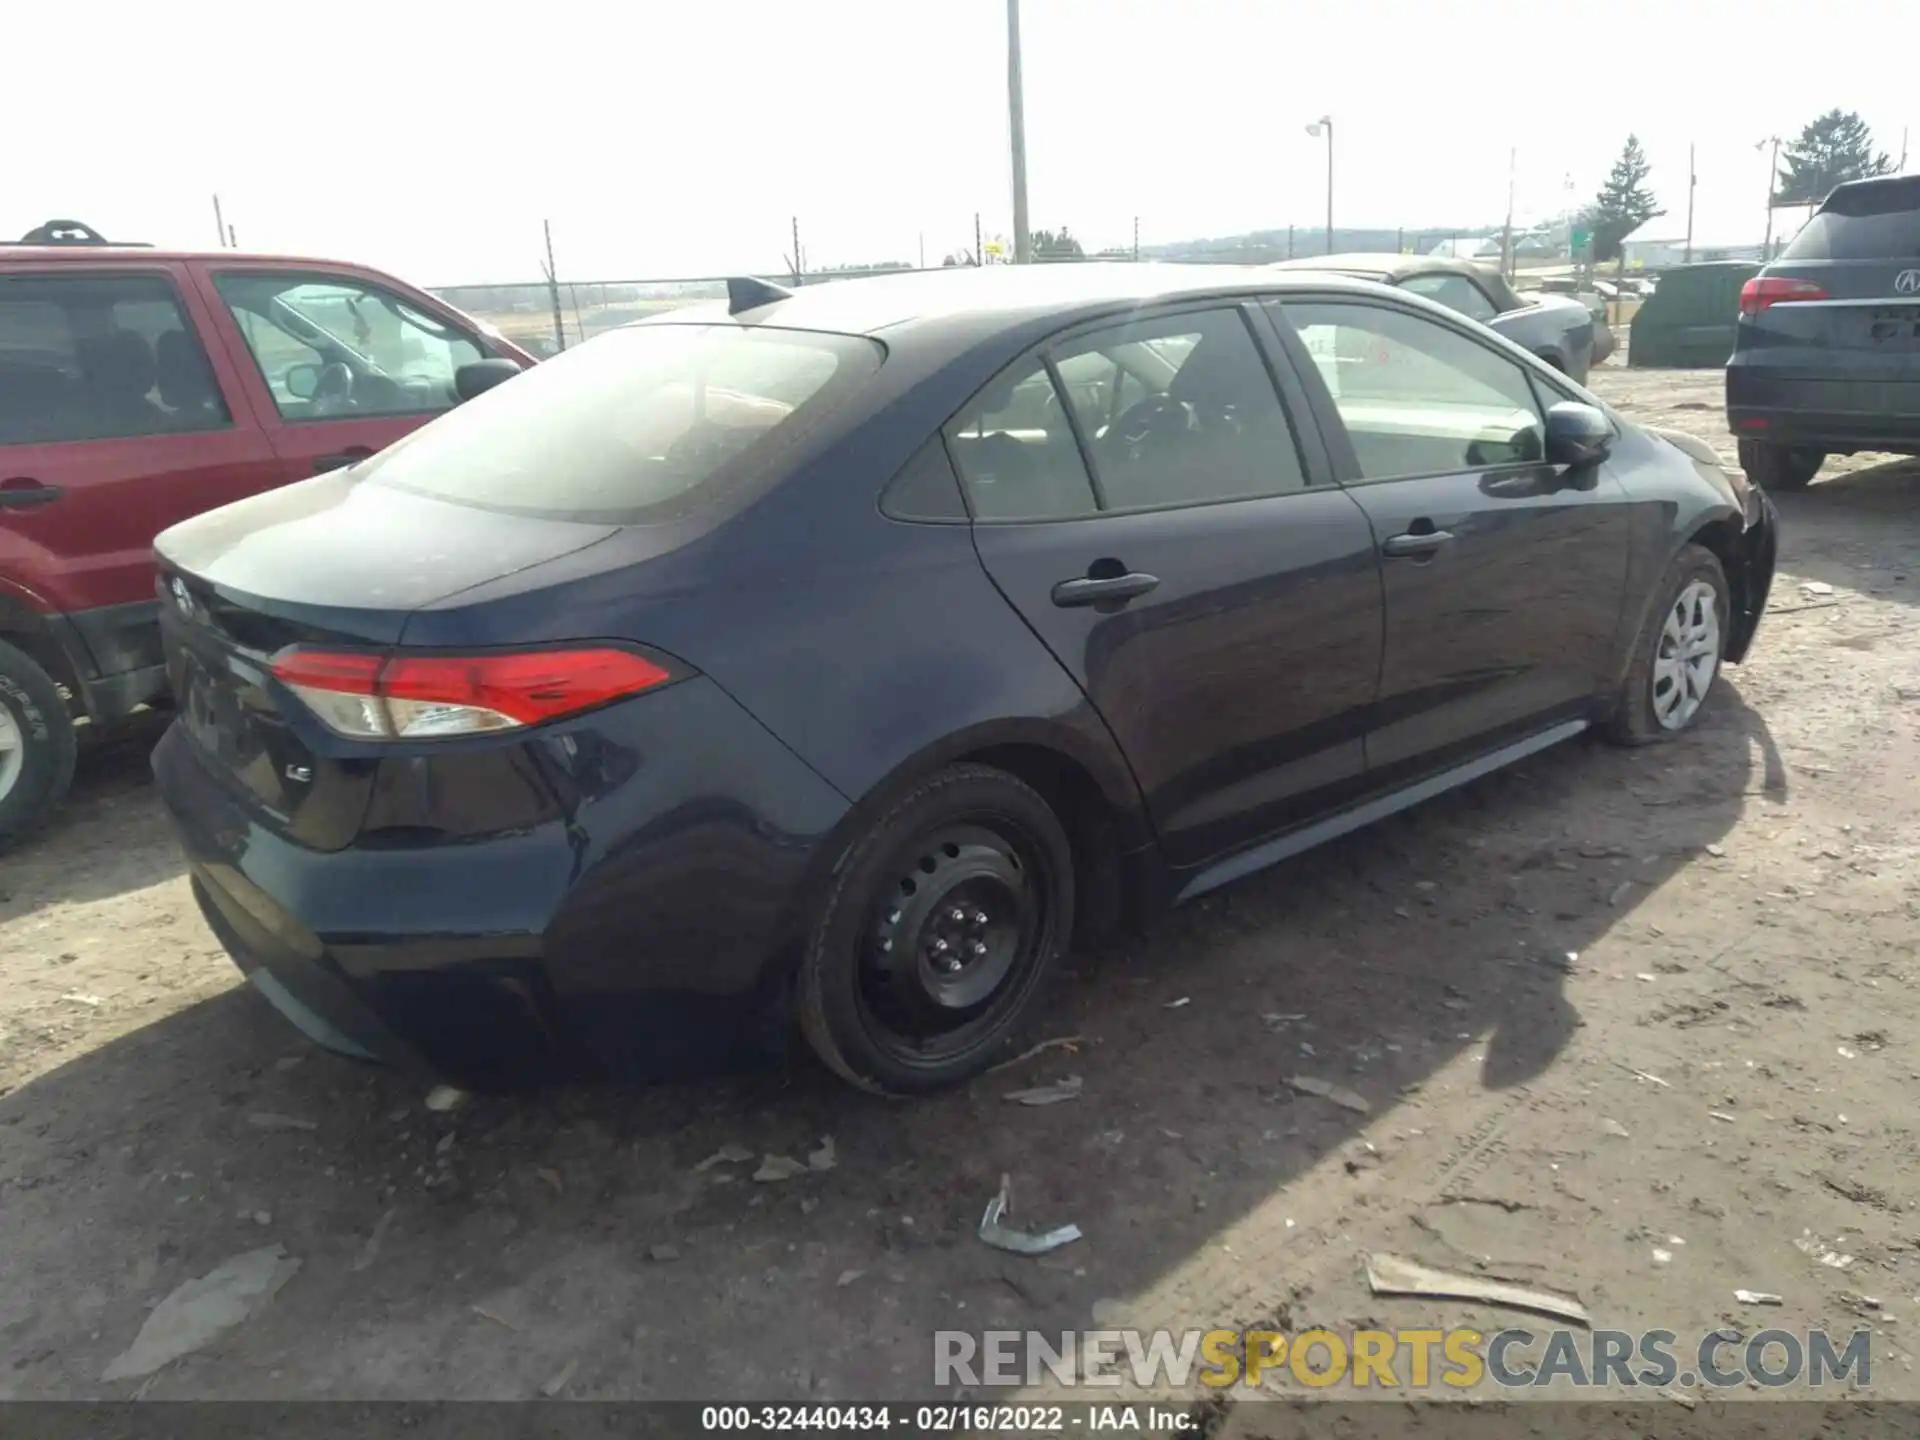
1677,656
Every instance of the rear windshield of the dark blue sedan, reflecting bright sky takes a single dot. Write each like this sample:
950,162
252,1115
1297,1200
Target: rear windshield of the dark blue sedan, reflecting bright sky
636,427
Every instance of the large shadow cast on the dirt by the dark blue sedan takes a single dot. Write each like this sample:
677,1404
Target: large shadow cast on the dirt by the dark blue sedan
479,1253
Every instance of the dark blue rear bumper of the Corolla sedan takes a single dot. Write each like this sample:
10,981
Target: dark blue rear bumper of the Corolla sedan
636,936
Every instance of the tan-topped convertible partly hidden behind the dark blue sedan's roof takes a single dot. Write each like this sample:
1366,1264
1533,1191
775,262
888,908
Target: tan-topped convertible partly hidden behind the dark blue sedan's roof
1564,331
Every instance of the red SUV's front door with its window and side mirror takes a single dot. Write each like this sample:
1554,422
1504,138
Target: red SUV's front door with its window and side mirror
339,362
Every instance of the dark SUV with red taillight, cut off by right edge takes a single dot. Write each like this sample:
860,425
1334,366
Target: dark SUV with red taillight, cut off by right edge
1827,350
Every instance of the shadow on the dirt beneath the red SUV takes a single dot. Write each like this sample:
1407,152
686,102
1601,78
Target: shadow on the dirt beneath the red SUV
110,838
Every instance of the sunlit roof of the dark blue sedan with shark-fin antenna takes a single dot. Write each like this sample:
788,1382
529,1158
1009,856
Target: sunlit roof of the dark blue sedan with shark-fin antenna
982,299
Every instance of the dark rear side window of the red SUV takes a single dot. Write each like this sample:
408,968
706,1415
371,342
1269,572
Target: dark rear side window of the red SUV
101,358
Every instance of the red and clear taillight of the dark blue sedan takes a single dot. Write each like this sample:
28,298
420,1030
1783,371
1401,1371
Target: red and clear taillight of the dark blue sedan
435,696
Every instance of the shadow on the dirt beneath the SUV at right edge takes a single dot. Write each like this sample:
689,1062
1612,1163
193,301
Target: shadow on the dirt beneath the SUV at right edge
1856,533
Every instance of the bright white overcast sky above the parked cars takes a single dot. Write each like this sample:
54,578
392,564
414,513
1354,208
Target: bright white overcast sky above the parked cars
679,139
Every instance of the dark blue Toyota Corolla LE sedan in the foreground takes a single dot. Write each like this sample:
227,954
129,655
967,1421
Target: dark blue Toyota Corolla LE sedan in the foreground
830,663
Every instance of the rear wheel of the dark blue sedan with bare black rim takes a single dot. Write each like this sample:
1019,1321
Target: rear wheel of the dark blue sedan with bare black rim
940,932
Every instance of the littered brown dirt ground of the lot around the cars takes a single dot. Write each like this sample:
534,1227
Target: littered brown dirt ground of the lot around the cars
1723,1070
